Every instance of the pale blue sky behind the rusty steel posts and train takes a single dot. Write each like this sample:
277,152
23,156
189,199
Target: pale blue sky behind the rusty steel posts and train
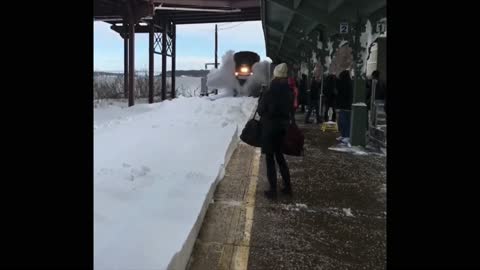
195,45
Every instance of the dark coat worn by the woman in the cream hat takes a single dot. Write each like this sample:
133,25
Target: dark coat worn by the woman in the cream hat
276,109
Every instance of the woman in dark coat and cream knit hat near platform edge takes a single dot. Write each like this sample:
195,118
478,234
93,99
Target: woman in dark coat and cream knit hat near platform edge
276,110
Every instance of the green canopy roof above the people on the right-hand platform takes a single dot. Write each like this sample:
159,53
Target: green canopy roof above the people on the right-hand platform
287,22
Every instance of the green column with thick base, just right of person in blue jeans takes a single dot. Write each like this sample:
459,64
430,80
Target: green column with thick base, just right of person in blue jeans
358,126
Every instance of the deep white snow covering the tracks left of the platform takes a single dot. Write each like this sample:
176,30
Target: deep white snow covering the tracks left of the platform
154,165
